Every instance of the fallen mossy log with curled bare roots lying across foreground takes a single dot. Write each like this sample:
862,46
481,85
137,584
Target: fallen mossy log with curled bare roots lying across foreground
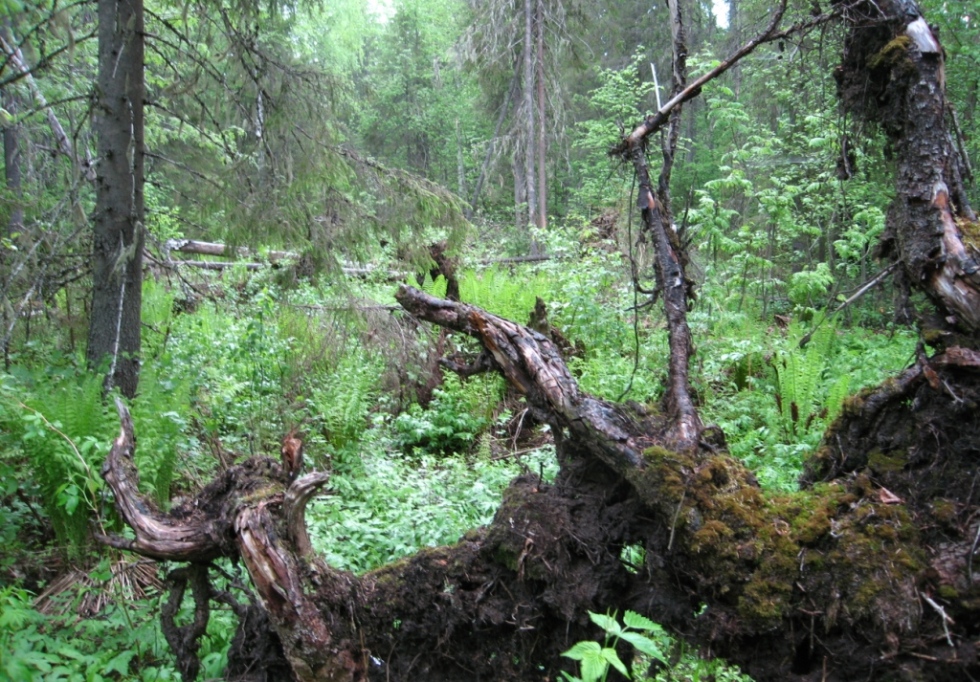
835,583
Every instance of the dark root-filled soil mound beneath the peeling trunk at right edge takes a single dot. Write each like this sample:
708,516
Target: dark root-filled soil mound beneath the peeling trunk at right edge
916,440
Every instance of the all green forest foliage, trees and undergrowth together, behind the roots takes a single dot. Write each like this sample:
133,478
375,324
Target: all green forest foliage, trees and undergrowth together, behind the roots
258,121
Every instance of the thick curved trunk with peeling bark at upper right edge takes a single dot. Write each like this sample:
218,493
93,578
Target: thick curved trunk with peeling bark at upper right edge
893,74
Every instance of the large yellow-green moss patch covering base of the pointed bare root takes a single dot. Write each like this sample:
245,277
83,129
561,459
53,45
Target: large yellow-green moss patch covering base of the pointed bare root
764,554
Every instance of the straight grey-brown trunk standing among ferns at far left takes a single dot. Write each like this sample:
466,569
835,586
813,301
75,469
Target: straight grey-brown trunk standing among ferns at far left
117,255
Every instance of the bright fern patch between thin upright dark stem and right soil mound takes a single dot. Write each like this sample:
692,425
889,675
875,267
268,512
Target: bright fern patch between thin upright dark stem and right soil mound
773,399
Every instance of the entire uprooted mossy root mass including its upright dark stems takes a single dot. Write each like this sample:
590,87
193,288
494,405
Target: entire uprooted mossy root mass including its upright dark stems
868,573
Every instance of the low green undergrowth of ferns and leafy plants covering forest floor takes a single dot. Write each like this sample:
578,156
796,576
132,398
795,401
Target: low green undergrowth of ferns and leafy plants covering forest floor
417,456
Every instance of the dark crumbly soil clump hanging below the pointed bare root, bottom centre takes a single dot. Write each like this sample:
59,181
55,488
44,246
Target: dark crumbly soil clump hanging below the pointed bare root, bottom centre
508,599
